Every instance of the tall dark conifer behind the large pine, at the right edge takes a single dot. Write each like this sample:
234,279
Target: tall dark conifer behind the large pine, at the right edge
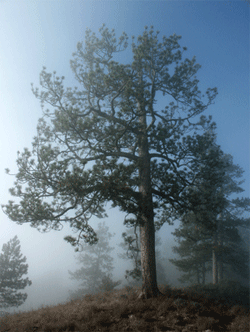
210,196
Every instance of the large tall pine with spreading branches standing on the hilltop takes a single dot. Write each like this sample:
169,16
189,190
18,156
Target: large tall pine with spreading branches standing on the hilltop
108,142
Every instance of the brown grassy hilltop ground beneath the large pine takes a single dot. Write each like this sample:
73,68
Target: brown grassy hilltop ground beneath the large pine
208,308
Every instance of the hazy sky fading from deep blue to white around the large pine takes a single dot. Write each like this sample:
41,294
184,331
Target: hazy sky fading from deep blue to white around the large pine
41,33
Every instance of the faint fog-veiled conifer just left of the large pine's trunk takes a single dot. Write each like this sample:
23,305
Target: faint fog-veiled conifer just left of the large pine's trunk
97,266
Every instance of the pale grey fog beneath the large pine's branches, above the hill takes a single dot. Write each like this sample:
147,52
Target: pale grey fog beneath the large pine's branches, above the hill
50,257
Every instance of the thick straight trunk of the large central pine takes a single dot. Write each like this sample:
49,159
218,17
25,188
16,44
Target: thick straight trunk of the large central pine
147,229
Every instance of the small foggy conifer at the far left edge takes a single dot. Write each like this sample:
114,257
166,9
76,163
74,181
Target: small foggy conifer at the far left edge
11,270
